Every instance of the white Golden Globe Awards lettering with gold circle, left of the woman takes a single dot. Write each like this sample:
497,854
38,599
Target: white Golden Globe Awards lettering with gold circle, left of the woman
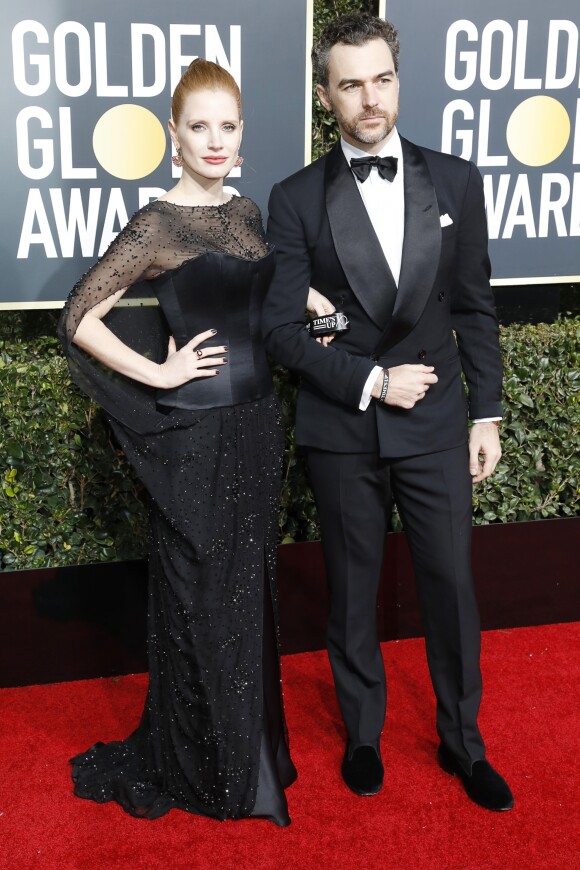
72,144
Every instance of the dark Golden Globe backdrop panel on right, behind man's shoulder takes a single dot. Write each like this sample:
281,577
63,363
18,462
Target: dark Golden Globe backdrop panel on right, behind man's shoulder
499,83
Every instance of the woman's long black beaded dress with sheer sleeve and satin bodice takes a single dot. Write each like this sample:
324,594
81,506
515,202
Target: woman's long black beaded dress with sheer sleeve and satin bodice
212,738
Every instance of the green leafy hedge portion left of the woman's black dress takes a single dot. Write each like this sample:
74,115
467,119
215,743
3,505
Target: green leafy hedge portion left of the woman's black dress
67,496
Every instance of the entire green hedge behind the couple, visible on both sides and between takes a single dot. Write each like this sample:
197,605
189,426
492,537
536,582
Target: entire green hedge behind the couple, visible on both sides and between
68,496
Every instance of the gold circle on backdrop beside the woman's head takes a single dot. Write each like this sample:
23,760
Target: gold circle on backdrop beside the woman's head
129,141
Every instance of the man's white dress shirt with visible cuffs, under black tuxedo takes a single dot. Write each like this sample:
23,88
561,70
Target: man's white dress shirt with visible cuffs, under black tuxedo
385,204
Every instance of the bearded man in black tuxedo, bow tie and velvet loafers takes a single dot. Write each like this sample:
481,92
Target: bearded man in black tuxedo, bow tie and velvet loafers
400,246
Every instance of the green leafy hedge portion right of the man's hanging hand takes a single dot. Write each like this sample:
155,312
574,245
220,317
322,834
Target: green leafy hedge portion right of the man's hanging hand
539,474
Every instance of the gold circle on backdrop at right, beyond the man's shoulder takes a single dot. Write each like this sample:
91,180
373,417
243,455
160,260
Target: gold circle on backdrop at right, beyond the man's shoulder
538,130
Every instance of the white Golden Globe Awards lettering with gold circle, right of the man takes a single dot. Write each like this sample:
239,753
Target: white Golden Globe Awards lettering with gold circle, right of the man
538,119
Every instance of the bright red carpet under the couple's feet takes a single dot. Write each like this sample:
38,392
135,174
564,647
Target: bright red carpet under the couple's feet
422,818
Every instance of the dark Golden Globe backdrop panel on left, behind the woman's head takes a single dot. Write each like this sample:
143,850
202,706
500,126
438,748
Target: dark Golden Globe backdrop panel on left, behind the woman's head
86,91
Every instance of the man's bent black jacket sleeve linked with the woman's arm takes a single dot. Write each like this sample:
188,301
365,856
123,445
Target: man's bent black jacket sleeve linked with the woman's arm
336,373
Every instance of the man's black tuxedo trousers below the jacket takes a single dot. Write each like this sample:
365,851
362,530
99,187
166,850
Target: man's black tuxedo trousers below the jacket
433,493
